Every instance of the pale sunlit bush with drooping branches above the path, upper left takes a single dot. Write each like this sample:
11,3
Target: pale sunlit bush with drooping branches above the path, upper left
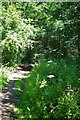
17,35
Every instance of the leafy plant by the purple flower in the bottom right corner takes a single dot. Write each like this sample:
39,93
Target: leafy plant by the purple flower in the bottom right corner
67,107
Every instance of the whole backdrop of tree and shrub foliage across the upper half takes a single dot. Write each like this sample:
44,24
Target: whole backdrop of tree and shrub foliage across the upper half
52,26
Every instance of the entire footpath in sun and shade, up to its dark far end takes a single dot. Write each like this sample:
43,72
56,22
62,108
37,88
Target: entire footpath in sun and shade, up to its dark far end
11,96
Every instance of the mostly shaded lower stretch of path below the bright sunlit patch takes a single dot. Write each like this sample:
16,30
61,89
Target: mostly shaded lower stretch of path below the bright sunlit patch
10,99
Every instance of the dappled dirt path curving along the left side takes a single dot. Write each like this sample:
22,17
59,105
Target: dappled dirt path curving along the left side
8,98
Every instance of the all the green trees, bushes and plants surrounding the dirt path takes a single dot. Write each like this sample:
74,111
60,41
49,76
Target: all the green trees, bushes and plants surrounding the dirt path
47,35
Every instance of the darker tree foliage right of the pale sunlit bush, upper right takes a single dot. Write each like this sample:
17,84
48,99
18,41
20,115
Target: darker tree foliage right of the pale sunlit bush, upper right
57,36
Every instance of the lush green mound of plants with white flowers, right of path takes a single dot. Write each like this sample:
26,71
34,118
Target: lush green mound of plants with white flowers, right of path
44,87
